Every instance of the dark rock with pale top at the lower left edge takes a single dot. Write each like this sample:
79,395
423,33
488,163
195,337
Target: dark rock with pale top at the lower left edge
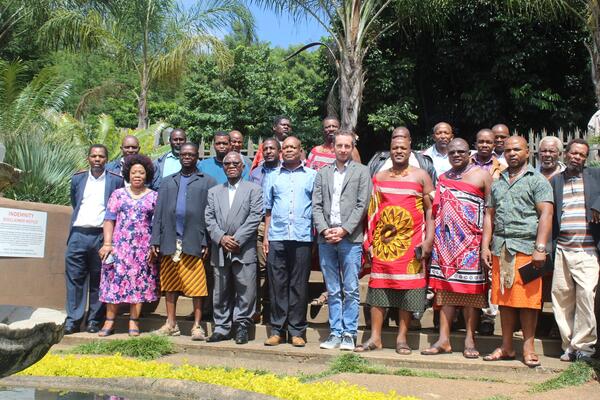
26,335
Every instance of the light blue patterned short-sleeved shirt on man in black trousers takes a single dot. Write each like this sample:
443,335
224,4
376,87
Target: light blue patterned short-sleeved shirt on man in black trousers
288,194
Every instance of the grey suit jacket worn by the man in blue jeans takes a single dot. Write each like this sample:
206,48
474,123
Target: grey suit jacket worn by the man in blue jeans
354,200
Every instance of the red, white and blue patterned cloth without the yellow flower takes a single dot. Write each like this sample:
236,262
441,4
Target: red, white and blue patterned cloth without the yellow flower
458,210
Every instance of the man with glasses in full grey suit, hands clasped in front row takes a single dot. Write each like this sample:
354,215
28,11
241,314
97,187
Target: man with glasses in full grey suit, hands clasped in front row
232,216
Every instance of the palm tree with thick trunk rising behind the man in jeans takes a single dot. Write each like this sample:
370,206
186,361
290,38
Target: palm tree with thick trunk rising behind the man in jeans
354,26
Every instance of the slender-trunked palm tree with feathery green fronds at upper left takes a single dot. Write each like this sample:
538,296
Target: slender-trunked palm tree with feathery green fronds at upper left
156,38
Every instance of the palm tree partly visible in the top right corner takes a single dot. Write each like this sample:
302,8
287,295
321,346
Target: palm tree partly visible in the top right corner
585,12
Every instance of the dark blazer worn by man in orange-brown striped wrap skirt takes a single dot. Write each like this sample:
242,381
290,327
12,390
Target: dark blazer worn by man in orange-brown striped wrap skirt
164,226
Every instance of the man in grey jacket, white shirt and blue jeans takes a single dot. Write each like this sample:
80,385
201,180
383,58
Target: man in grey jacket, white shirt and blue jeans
340,200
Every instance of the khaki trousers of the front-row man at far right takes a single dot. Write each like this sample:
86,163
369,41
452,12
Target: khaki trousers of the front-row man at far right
573,291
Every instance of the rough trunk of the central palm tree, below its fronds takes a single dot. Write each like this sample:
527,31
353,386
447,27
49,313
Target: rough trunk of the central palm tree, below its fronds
351,88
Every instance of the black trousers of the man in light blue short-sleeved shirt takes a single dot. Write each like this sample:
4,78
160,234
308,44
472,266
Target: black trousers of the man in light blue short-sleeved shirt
288,269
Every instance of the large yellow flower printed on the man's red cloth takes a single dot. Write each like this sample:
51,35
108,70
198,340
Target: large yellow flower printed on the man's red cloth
393,233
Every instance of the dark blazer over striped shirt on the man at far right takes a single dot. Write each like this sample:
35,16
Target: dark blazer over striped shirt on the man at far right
591,187
